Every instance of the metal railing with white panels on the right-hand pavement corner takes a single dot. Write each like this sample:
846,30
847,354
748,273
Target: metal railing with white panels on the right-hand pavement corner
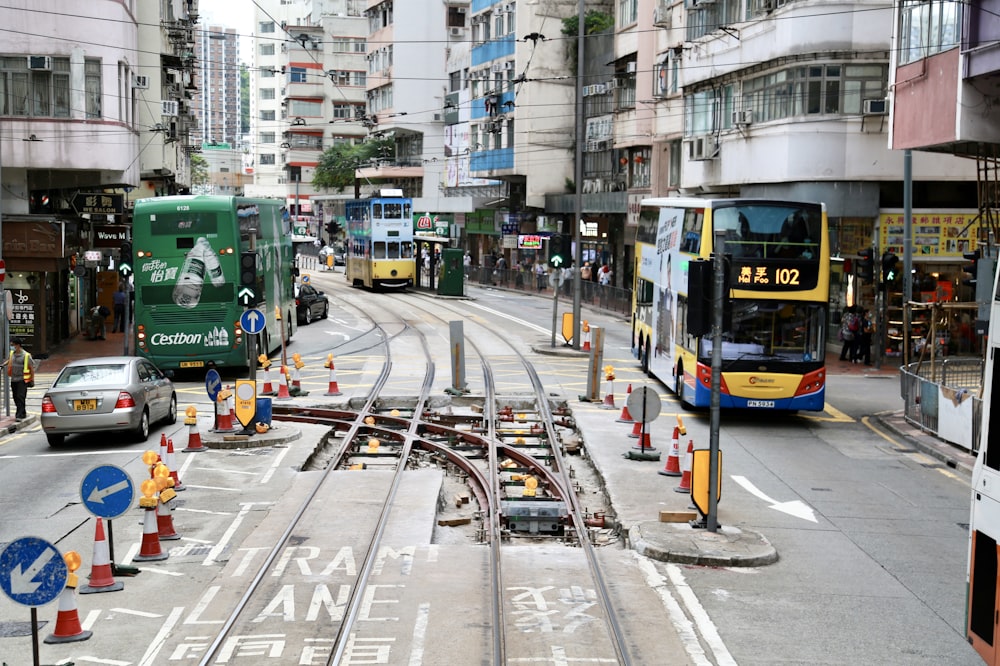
944,398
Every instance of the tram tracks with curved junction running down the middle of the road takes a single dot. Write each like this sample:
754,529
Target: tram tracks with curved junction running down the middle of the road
476,496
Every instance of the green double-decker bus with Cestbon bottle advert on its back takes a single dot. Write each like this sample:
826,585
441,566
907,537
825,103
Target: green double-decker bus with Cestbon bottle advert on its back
188,283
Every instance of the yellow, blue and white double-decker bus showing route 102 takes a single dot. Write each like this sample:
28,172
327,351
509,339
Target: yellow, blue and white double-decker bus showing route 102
778,264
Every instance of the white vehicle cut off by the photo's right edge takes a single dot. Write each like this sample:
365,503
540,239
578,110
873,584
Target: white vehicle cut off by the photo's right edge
983,585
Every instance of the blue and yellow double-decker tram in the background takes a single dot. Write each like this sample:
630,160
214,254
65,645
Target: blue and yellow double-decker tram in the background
380,251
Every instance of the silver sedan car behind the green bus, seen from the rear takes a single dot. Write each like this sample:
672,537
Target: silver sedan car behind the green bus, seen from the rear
112,393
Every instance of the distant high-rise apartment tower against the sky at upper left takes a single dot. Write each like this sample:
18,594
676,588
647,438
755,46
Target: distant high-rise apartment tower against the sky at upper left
217,103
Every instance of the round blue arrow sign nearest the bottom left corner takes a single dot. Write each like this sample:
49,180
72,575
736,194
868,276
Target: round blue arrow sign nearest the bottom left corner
32,571
